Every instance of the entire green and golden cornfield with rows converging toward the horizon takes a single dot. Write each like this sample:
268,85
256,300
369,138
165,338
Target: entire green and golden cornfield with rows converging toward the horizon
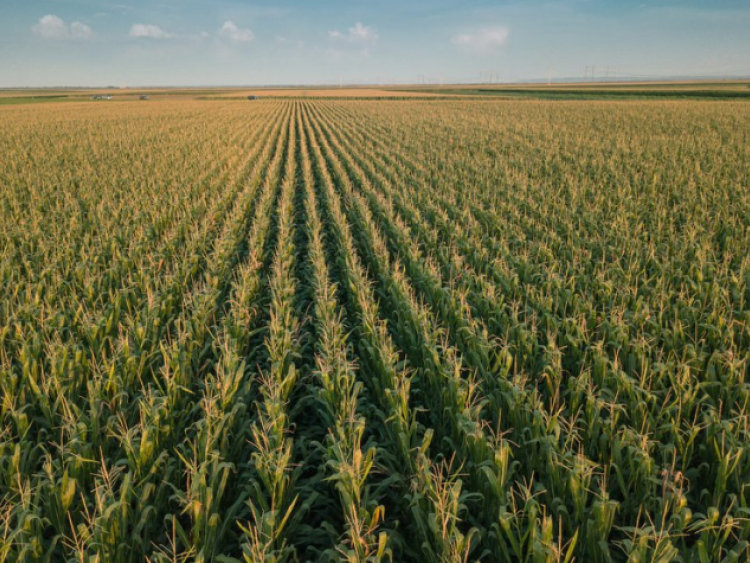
425,330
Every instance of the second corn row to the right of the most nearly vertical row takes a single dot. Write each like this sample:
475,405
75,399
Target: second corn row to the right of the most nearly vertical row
432,490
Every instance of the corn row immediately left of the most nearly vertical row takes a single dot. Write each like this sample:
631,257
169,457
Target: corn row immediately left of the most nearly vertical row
221,351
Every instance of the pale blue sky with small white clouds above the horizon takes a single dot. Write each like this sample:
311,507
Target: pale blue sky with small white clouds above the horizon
236,42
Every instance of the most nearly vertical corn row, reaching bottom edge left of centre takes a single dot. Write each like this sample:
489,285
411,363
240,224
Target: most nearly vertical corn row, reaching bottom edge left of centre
276,505
